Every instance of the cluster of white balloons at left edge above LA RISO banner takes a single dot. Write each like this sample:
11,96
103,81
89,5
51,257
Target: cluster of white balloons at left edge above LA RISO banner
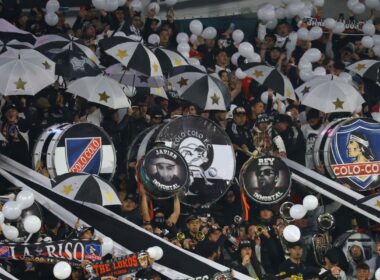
11,211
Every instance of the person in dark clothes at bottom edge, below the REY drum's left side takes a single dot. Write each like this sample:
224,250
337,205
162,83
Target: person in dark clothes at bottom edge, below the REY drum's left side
247,261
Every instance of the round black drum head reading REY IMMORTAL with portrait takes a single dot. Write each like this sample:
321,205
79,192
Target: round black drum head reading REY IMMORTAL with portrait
266,180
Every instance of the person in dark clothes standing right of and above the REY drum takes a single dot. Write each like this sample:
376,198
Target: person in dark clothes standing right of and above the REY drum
292,136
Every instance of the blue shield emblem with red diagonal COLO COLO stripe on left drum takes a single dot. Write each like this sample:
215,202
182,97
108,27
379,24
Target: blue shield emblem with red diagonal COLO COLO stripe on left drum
84,154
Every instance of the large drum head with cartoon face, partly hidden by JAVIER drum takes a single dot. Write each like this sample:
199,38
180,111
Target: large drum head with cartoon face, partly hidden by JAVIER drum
208,152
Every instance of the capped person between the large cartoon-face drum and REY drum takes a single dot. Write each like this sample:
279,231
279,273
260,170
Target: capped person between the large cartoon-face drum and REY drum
240,136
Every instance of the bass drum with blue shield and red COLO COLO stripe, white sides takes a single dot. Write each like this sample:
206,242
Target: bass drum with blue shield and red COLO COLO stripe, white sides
77,148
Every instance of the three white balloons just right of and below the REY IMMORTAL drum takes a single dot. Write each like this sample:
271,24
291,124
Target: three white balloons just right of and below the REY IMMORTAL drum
292,233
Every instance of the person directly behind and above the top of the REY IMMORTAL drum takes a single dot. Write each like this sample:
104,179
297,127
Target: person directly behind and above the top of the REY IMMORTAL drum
266,139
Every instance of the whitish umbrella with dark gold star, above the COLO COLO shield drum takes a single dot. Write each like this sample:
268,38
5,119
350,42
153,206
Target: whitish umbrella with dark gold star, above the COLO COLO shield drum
102,90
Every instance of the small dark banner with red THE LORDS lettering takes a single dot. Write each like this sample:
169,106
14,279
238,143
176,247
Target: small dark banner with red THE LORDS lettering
121,265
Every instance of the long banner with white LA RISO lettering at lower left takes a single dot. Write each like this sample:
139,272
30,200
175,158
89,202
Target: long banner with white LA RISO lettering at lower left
72,251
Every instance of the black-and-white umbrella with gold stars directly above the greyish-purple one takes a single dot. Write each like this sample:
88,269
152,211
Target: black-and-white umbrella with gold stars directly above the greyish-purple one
132,54
